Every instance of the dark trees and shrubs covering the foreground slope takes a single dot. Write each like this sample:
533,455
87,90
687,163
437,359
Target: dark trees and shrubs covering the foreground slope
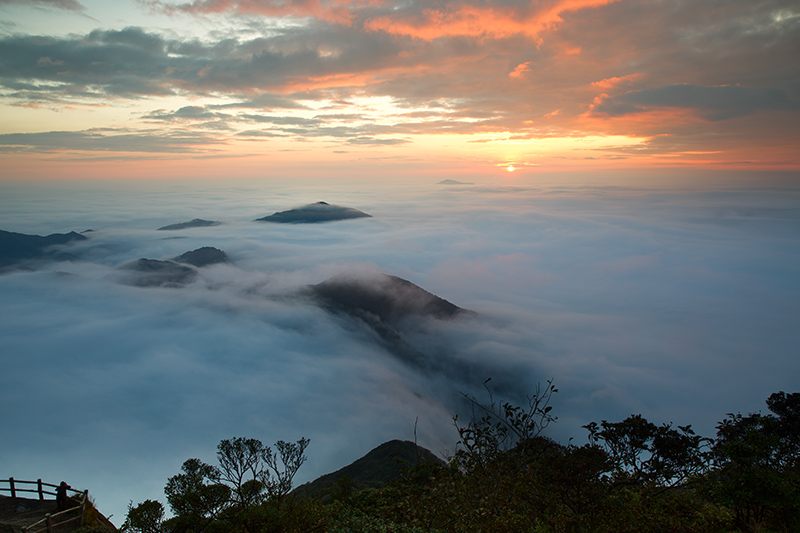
505,476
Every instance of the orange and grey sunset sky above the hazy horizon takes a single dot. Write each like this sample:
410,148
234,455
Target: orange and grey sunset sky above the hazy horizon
194,88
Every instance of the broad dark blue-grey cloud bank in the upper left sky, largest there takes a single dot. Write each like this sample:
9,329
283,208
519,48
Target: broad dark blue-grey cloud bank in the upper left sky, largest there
132,62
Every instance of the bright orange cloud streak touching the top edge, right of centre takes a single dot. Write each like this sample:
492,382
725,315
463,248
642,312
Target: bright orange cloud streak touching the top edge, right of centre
460,20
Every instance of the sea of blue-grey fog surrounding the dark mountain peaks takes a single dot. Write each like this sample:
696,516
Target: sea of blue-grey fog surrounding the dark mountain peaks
678,301
